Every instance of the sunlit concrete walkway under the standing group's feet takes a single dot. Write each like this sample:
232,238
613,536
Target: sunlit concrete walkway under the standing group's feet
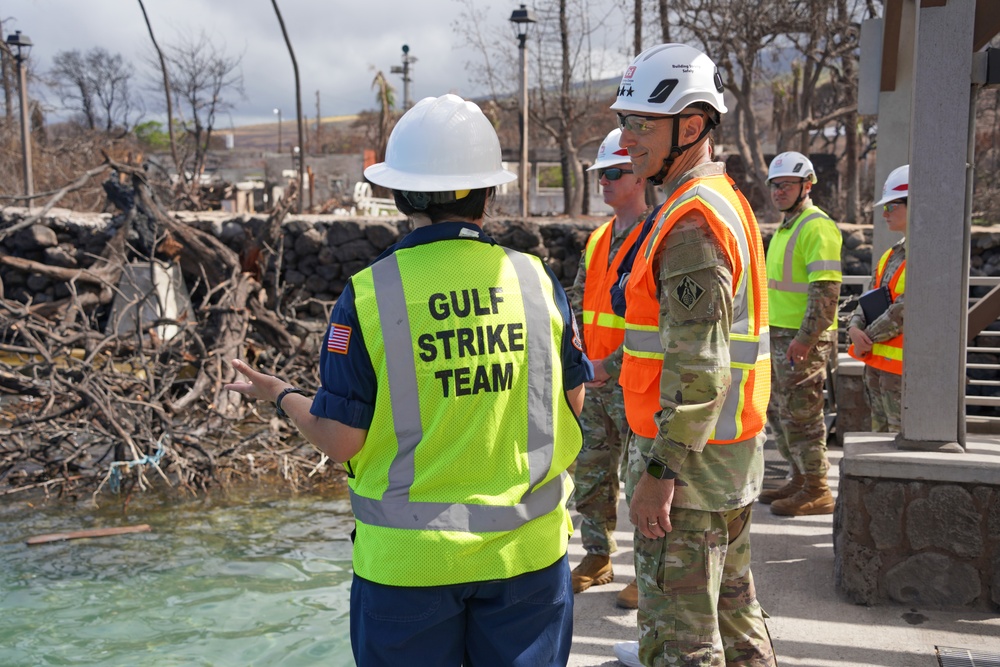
811,624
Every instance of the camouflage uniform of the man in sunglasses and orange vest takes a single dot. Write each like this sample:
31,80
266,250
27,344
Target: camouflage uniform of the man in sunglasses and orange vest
596,472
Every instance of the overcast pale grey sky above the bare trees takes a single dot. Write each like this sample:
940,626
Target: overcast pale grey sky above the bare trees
338,44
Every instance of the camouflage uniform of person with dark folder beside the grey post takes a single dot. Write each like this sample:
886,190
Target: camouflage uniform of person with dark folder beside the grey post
885,389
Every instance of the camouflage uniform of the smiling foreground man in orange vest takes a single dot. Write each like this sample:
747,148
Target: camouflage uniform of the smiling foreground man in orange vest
697,602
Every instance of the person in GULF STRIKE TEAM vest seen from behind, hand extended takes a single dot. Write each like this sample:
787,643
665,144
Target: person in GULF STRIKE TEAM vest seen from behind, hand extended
451,379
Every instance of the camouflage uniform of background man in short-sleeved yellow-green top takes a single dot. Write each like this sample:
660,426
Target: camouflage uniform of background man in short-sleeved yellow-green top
796,409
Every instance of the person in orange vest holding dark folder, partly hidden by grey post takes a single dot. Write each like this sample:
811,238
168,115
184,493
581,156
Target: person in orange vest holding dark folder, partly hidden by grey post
877,335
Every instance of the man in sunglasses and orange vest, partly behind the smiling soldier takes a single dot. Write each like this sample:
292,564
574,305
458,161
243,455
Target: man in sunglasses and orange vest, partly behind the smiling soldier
603,416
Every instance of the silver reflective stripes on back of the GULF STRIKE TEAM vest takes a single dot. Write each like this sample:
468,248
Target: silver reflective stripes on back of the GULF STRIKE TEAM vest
394,509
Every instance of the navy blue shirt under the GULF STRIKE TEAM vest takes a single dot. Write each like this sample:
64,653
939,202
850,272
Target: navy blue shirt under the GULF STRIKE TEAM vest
348,383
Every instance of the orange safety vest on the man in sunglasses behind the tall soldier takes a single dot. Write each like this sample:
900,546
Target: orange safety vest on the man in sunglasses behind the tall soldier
603,331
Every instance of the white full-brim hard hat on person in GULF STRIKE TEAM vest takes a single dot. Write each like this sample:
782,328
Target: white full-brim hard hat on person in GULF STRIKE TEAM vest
441,144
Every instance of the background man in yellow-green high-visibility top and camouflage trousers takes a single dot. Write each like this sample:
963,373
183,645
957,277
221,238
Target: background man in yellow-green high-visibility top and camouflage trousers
803,286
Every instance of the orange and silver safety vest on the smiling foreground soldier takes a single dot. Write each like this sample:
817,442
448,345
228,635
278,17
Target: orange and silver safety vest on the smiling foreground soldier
744,411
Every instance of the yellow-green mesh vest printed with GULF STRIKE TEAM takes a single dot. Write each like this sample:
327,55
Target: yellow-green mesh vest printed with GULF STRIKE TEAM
462,475
